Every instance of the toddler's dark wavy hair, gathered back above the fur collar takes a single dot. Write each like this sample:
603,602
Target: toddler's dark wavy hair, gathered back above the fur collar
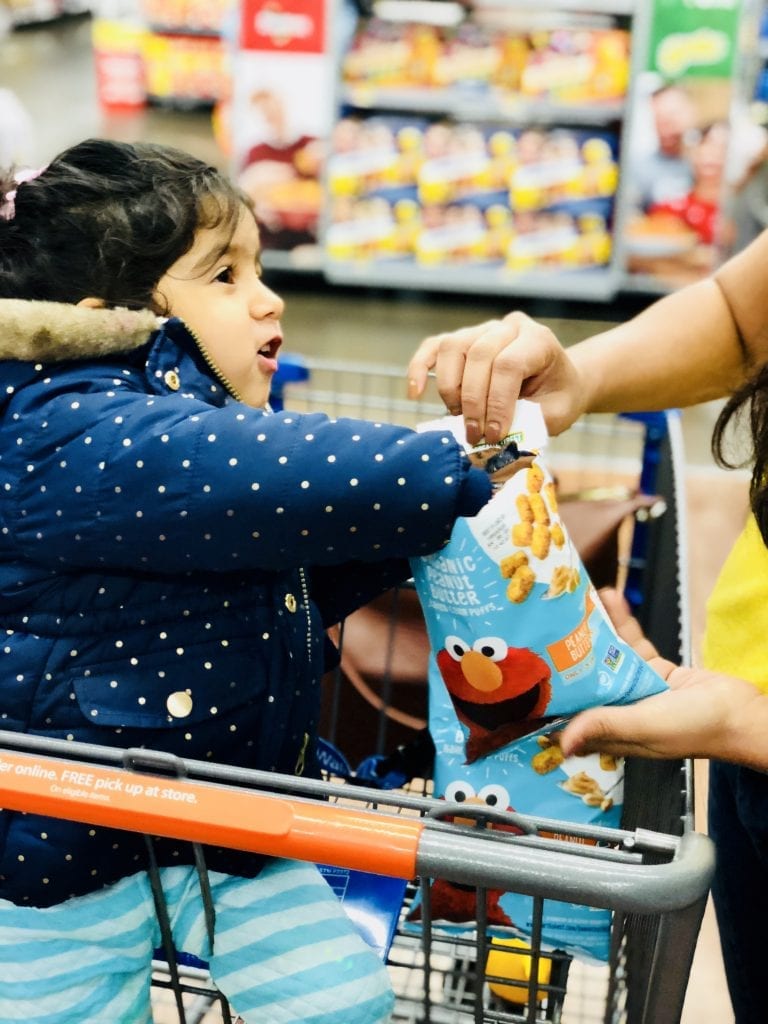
108,220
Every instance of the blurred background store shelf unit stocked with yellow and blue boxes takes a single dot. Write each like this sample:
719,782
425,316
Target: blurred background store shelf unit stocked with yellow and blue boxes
480,154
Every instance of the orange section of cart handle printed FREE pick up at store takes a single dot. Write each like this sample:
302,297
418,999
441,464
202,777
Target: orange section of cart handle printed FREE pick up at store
209,813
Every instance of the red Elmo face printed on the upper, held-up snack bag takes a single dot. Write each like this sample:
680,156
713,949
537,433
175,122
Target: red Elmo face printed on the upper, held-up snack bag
497,691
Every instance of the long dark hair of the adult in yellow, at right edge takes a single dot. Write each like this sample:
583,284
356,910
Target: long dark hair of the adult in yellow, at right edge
749,403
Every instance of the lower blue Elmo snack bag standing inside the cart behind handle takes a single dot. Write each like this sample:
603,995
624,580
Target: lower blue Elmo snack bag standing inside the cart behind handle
529,776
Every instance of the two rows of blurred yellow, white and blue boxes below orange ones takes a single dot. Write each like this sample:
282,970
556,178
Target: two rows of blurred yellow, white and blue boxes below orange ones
432,192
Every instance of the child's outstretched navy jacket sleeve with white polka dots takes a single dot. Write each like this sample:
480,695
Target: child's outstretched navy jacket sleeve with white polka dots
119,479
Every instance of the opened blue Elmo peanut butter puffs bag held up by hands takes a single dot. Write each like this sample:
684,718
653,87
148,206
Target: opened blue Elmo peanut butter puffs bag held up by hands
518,631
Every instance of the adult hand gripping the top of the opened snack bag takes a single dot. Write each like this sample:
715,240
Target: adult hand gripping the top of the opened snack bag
483,370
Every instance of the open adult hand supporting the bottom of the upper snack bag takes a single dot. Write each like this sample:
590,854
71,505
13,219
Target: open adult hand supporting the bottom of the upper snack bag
704,714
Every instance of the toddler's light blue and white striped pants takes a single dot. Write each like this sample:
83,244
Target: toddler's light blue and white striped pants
285,952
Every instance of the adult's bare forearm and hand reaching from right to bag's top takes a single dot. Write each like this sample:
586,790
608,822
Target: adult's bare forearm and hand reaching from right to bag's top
691,347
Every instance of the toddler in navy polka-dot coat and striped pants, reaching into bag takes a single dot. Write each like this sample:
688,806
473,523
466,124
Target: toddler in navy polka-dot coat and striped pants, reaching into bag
172,556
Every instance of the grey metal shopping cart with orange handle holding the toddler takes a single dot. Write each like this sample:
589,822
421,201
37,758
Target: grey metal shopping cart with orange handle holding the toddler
653,873
